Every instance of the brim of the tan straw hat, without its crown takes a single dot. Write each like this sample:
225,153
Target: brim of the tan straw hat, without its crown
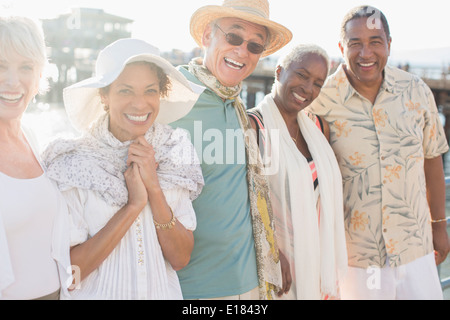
279,35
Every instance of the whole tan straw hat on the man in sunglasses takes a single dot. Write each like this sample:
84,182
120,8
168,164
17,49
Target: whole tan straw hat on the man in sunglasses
256,11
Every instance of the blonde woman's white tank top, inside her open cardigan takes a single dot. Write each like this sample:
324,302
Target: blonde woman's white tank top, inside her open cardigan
29,209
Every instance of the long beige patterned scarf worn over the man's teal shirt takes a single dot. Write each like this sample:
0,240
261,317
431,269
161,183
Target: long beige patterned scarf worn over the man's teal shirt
267,255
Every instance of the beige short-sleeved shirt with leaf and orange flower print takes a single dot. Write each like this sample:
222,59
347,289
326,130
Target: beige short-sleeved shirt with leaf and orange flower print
381,150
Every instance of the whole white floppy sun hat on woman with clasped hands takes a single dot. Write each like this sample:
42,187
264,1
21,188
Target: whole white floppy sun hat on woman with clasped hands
82,100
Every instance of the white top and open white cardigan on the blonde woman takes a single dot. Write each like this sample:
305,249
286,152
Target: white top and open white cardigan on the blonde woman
33,260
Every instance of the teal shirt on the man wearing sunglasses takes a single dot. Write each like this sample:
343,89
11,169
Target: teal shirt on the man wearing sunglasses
223,261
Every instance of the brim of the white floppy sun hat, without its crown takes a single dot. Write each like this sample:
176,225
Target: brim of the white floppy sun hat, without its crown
83,103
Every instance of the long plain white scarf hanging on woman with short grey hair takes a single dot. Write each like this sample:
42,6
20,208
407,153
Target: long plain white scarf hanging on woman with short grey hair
319,247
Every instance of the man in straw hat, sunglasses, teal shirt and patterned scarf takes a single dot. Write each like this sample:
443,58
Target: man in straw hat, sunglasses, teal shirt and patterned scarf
235,254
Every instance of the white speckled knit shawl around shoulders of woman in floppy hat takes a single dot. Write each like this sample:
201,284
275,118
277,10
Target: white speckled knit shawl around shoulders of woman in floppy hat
97,162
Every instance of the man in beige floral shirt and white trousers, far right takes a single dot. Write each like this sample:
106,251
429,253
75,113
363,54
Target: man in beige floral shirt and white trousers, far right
388,139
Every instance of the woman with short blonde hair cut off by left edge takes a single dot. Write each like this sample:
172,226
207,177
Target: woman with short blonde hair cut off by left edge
30,205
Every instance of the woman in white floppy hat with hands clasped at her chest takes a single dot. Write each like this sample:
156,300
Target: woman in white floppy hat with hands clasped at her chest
130,179
